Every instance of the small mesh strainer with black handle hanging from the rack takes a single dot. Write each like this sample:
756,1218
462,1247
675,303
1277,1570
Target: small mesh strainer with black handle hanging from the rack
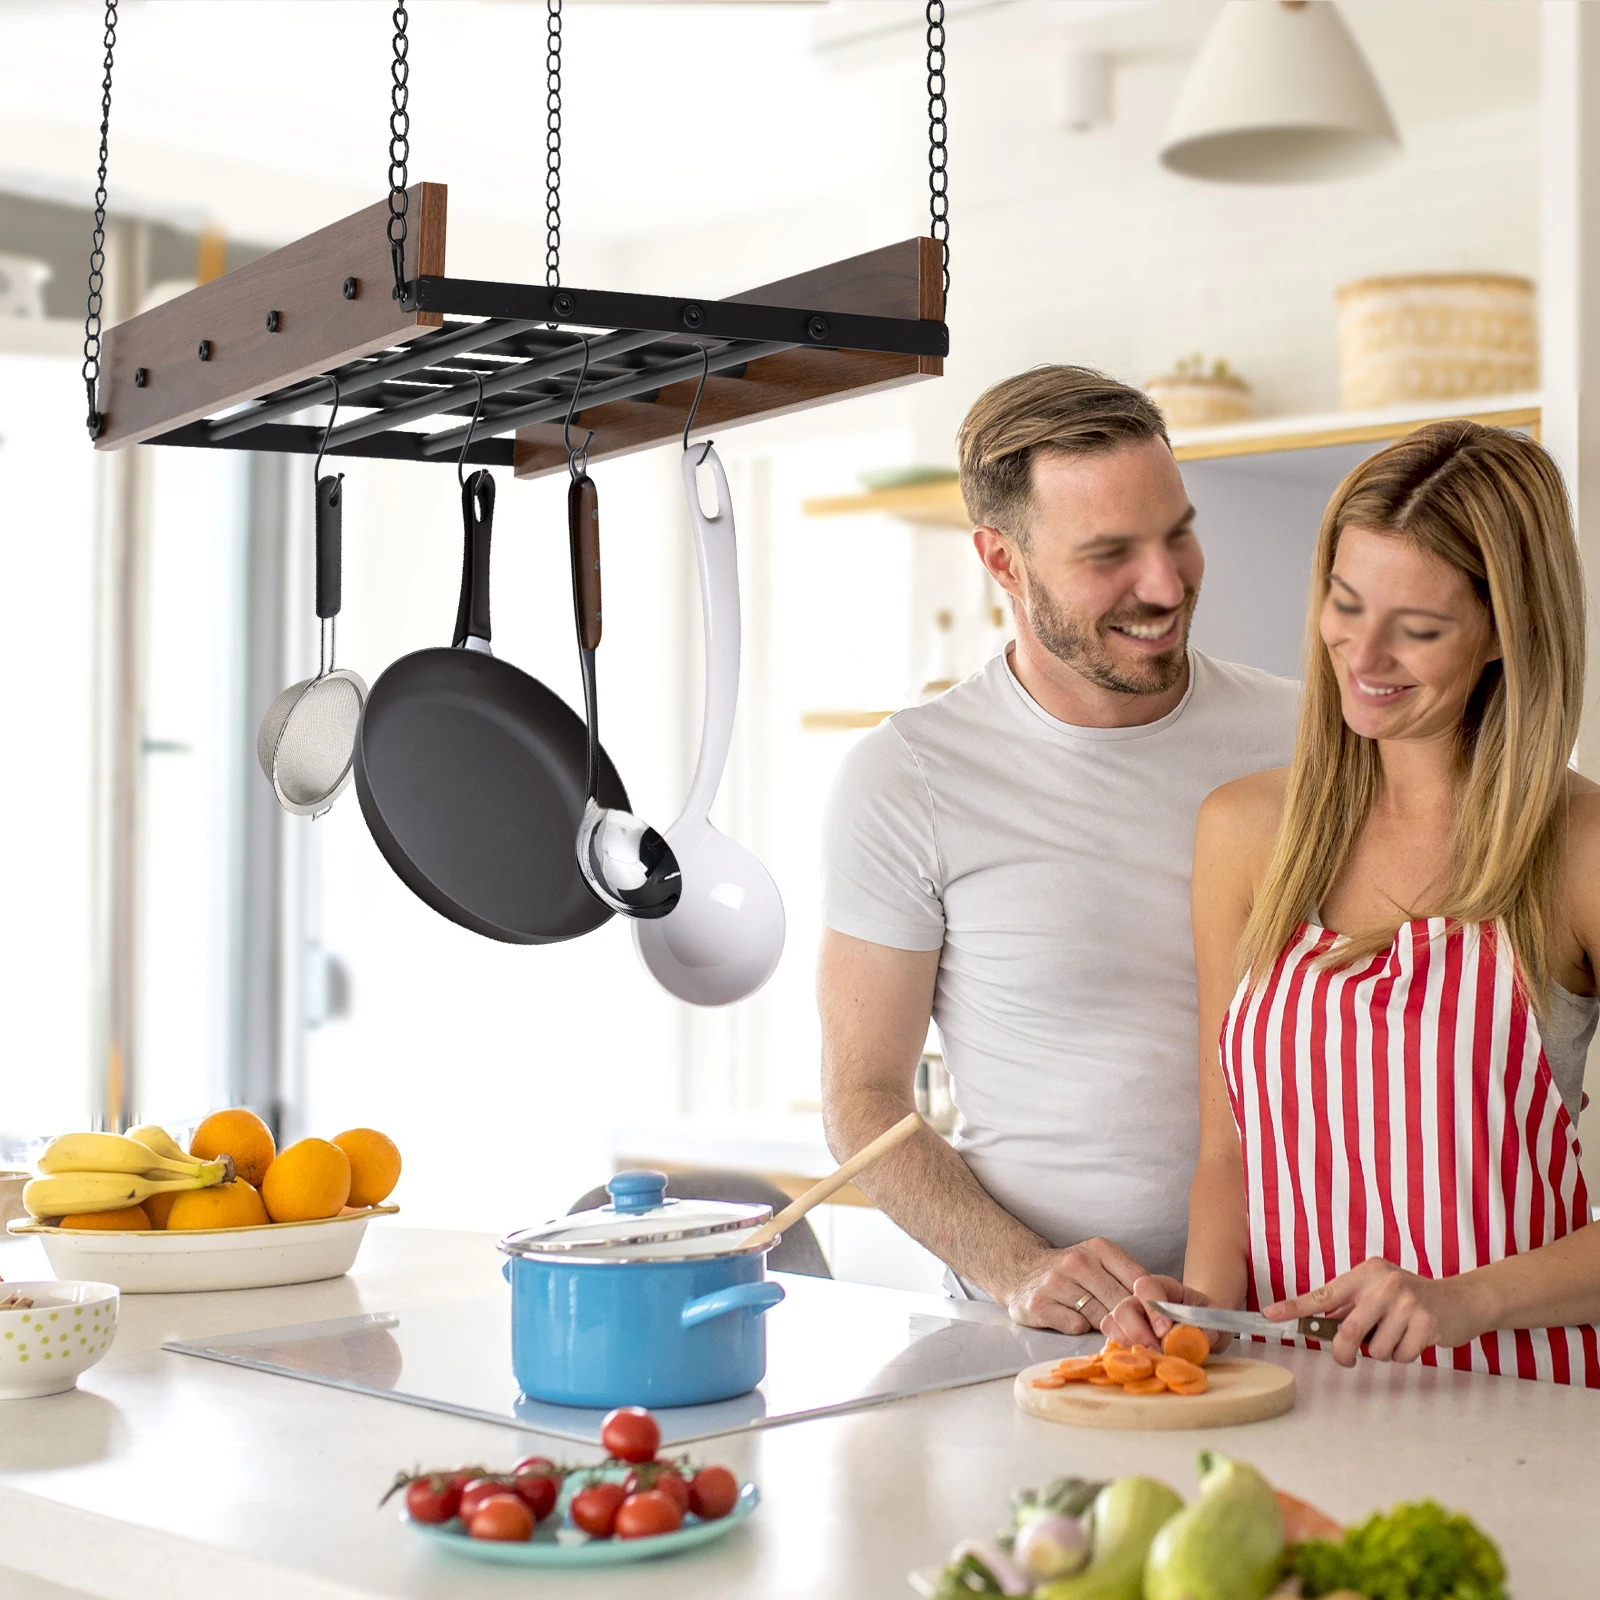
308,738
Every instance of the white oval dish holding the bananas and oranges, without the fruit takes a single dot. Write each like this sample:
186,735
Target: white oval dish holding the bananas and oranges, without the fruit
207,1258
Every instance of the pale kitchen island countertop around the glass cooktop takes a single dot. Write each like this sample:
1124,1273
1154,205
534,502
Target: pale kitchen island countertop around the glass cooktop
166,1478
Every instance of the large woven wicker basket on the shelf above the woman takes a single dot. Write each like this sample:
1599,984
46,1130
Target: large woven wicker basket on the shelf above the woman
1436,337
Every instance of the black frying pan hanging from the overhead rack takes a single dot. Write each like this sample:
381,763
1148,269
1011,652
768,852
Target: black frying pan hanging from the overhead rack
471,775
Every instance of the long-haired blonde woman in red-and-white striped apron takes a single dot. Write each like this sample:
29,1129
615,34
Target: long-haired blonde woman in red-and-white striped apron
1396,943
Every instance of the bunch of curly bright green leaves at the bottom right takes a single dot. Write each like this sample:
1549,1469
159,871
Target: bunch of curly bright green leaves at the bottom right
1412,1553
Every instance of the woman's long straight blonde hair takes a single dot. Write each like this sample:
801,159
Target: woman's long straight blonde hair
1494,506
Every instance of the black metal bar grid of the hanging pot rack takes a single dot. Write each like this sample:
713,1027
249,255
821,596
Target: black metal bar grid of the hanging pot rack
526,350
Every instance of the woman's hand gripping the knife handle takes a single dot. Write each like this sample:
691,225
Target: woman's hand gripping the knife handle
1394,1313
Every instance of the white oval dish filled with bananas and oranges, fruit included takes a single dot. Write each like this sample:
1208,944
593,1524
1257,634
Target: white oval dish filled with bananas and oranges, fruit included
231,1212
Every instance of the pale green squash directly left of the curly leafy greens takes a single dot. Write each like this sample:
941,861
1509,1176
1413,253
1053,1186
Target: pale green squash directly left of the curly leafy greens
1226,1546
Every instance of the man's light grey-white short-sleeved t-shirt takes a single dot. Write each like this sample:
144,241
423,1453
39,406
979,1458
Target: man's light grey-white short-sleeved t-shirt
1050,865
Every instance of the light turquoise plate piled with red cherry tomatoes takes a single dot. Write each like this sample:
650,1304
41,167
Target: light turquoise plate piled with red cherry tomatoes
633,1506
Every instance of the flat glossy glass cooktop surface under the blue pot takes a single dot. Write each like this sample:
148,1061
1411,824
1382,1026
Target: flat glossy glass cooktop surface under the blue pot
830,1348
